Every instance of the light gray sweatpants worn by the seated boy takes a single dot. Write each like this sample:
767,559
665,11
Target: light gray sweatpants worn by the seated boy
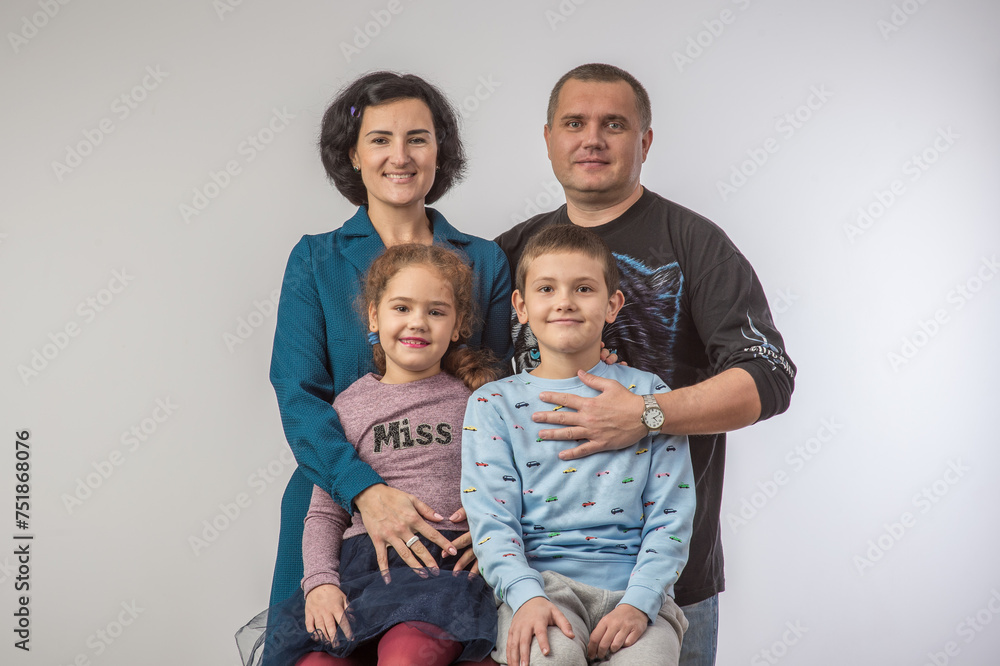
584,606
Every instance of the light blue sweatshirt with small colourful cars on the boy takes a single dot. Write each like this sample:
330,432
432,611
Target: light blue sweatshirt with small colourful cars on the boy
618,520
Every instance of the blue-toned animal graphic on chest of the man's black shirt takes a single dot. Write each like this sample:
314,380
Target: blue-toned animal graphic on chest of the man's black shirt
648,320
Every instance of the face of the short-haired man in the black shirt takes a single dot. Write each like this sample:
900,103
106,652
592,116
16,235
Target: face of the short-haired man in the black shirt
595,142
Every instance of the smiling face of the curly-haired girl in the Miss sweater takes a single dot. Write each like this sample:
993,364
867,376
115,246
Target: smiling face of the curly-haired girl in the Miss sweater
416,320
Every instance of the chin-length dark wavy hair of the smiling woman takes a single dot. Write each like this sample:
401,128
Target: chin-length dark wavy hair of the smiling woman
342,125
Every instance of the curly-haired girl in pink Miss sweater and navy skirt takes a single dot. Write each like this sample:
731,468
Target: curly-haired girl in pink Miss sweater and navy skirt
406,423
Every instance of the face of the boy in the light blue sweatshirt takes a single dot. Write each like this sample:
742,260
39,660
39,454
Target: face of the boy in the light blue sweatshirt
566,301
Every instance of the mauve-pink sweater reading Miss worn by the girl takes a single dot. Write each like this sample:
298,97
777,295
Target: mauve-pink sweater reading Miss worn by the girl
411,434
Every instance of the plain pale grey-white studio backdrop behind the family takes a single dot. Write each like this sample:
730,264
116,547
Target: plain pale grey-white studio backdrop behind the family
159,164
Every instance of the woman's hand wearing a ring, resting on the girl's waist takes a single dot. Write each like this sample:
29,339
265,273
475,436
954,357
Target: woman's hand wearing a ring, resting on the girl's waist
392,518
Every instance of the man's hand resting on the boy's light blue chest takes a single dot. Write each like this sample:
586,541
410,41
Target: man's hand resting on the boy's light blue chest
606,422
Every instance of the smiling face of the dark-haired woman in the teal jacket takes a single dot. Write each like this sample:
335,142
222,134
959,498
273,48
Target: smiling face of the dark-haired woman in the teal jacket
397,154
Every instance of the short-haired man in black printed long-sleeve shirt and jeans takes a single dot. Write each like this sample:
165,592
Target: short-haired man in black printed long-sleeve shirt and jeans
695,314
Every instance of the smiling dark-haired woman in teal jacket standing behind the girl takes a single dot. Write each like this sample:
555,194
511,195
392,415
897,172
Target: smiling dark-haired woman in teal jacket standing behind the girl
390,144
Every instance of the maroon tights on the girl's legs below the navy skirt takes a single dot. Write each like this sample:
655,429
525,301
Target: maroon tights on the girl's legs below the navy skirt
413,643
